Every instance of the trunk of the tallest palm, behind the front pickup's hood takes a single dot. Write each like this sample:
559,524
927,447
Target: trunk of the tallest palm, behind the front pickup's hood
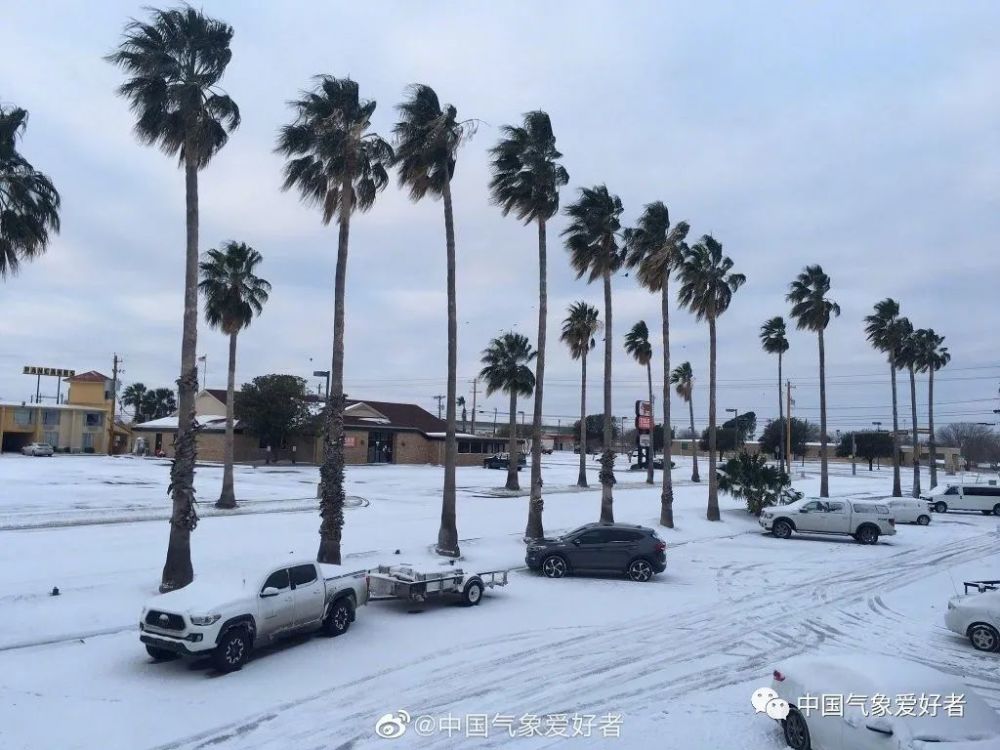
177,569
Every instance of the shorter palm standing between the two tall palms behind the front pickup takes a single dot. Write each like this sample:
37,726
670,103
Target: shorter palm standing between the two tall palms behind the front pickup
234,295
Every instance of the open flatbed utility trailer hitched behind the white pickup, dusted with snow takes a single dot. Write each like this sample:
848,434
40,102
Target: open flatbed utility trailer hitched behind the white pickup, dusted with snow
405,582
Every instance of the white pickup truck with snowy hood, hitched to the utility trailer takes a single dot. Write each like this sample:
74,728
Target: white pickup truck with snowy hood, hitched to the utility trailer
225,617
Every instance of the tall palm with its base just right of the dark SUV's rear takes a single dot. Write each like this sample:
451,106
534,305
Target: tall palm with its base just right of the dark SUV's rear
655,250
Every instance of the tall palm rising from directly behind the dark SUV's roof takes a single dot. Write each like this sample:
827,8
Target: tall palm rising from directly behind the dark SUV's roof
592,241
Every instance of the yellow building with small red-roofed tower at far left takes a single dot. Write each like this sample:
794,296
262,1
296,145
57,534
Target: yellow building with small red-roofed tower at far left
79,425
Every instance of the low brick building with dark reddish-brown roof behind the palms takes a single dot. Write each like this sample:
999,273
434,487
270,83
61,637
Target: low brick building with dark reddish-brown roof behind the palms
375,432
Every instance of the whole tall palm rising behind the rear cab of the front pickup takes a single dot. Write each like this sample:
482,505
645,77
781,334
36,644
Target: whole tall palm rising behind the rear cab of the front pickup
338,164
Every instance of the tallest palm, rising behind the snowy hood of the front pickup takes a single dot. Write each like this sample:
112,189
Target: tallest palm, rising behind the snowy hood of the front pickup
175,63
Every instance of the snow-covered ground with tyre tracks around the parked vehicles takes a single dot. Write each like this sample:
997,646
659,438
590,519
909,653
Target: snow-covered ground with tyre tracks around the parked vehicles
677,658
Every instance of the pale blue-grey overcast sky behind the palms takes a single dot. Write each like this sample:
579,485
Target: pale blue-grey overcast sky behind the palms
860,136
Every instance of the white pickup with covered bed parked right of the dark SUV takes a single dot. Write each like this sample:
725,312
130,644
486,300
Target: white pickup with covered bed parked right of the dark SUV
865,521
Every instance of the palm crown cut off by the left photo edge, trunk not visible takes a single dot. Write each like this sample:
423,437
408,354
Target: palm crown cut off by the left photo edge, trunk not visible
29,203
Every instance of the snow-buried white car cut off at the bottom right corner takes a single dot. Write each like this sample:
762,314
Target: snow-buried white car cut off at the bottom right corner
856,727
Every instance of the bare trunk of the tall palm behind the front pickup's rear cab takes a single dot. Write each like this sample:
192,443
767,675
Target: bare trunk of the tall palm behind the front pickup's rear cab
331,472
